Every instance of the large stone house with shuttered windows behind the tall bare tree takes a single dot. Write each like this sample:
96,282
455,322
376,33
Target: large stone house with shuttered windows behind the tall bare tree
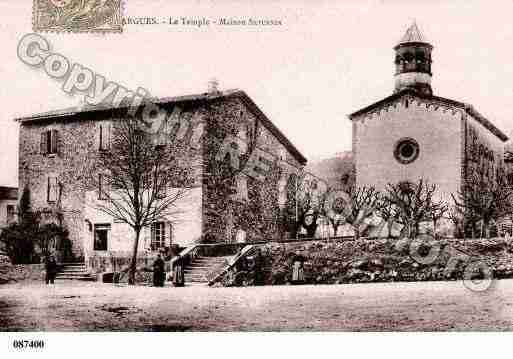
57,151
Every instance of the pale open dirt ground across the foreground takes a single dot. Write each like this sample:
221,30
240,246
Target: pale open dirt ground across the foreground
426,306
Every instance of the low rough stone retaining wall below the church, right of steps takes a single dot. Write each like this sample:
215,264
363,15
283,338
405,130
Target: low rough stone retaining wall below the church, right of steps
382,260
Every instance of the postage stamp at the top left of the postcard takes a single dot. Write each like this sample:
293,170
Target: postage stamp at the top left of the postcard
77,16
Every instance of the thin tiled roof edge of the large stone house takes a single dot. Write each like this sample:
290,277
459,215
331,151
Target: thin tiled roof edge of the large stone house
70,112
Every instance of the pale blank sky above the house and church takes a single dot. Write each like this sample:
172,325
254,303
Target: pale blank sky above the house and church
327,60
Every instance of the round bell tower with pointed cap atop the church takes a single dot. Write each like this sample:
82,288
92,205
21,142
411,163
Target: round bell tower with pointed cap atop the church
413,62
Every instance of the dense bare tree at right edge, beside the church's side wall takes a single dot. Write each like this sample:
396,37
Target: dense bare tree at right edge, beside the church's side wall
483,198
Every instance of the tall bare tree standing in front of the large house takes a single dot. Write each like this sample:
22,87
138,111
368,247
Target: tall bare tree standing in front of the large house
140,179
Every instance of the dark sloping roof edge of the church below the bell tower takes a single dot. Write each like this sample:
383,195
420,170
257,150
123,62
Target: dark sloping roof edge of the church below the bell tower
468,108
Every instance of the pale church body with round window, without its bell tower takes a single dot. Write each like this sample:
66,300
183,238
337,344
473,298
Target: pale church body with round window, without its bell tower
449,139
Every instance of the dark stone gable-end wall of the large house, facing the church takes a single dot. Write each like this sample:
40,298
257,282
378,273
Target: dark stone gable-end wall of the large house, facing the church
223,212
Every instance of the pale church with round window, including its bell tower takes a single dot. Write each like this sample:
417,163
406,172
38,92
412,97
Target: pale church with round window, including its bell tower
415,134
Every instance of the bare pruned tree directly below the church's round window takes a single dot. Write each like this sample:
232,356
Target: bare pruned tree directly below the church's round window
414,203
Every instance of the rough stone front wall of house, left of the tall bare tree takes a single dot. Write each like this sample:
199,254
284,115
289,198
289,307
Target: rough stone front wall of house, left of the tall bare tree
72,163
